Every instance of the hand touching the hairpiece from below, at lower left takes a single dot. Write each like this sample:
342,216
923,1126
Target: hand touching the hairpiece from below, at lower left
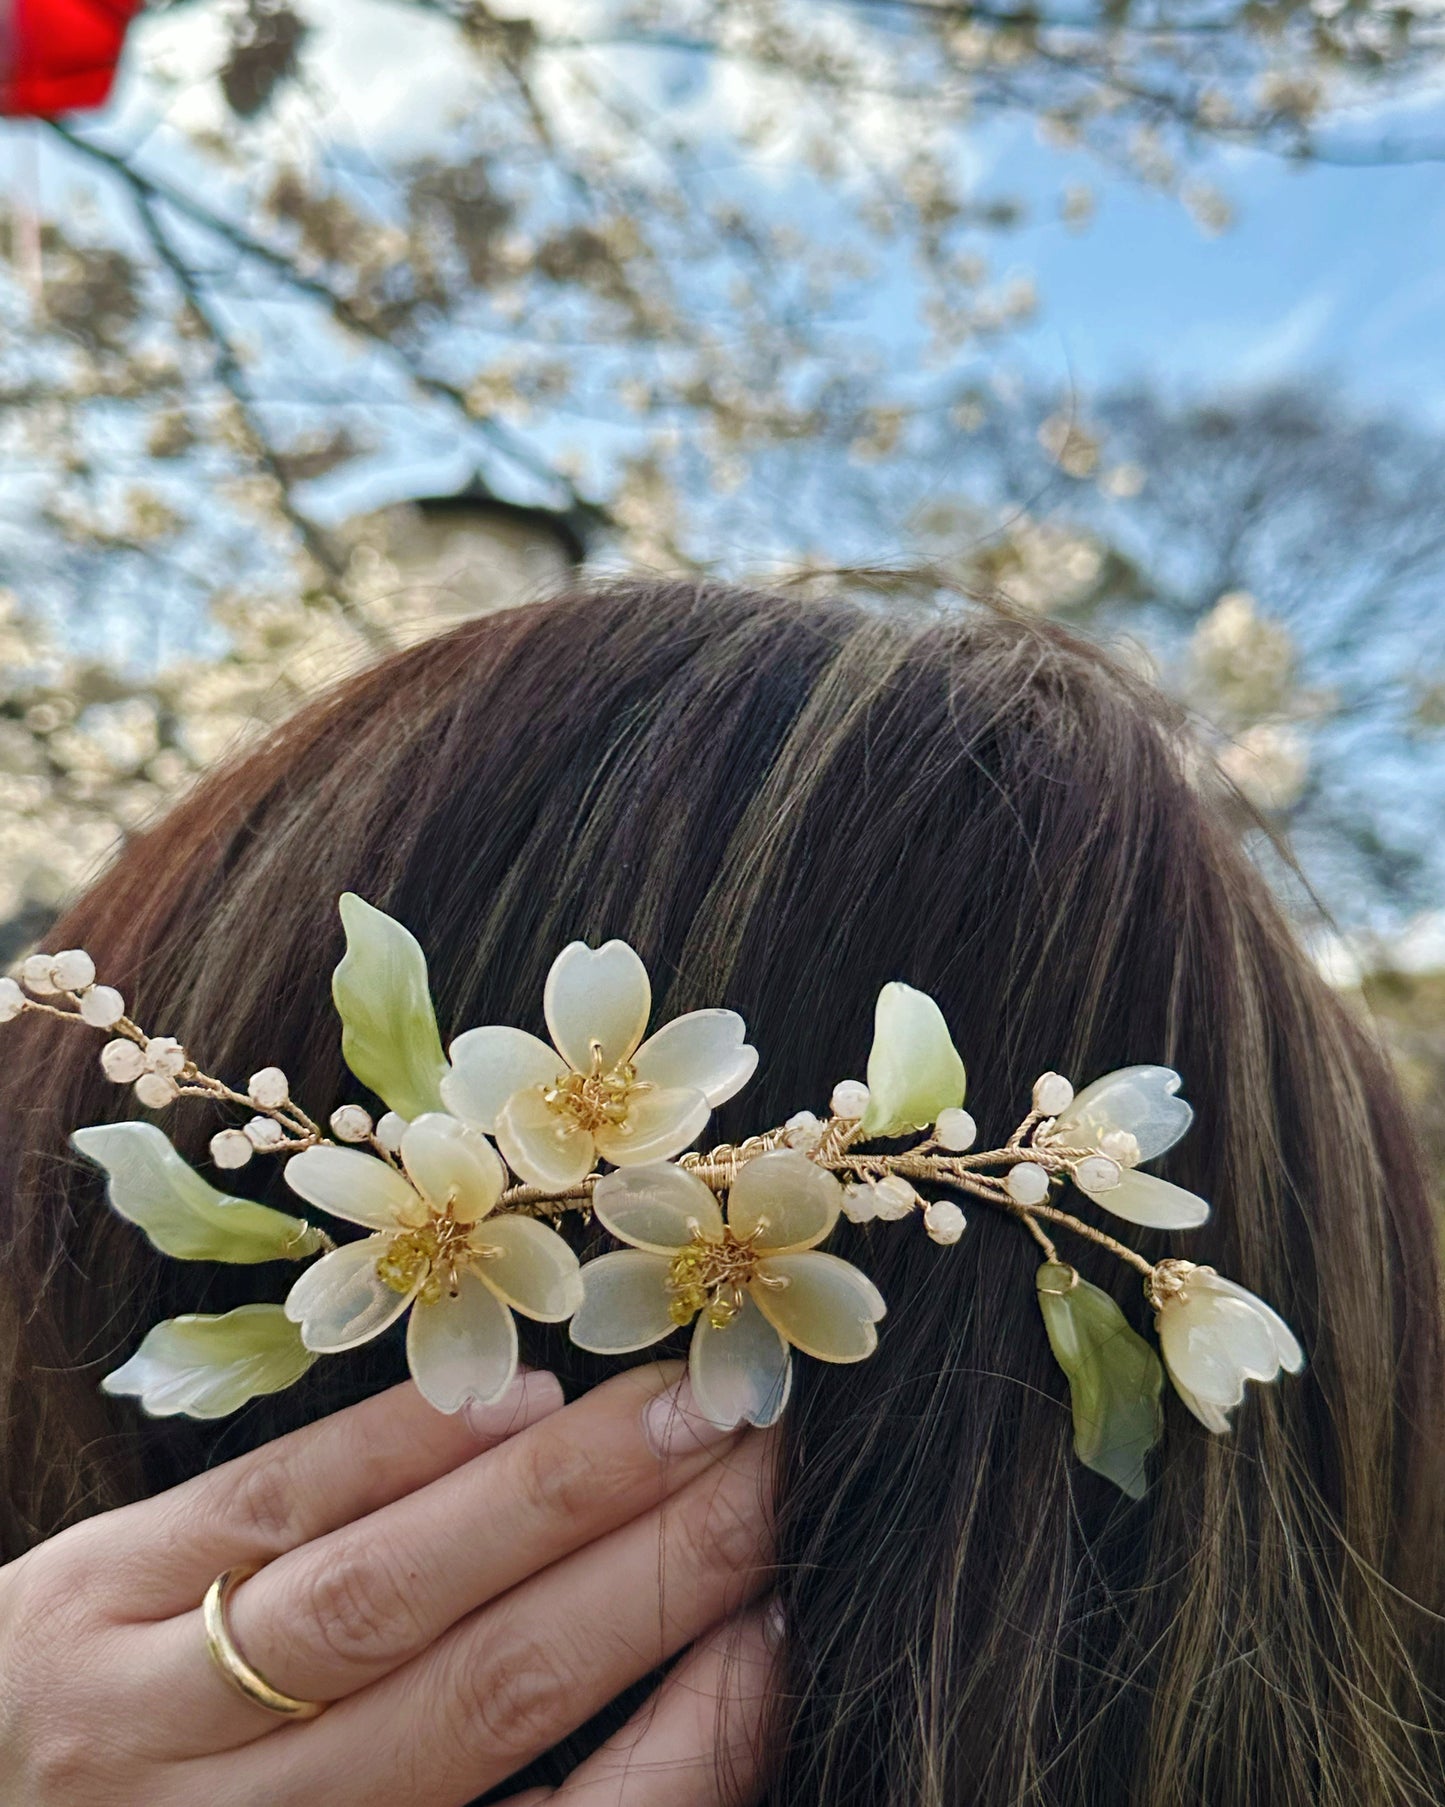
463,1591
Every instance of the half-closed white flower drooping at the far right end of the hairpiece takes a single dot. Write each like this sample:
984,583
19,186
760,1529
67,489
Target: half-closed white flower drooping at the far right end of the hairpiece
1215,1336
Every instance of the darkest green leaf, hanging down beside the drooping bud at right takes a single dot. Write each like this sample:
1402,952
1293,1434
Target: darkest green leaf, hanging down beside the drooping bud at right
1115,1378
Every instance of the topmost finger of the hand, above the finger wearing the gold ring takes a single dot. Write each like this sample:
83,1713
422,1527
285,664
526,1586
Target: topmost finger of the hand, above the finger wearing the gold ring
163,1553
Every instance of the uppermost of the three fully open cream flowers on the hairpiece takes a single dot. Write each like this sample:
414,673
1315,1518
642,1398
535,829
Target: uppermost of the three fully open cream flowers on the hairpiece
601,1091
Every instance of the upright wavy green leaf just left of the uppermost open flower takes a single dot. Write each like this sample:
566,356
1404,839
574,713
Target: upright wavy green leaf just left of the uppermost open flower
389,1029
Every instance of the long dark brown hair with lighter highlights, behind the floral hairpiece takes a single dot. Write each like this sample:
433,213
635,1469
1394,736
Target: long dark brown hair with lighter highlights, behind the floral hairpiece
783,807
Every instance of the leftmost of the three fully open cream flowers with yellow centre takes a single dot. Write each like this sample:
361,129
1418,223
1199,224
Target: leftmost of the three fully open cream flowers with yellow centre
438,1248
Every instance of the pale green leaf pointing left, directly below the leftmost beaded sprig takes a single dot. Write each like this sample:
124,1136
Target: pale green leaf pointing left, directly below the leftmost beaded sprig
180,1212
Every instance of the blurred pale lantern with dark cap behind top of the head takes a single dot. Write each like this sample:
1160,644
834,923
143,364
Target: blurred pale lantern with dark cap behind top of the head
471,552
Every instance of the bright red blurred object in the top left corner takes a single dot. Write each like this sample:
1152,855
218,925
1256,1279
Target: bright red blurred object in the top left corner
61,55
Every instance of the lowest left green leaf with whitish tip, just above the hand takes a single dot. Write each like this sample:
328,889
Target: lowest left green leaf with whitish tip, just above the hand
207,1367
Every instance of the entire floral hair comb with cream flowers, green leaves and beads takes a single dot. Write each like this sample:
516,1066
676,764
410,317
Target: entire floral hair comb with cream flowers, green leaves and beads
480,1154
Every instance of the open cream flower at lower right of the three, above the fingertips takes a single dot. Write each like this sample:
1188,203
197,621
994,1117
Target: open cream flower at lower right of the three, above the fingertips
758,1284
